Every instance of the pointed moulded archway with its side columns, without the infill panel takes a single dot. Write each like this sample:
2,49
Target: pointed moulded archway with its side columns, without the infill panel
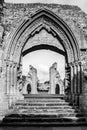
42,19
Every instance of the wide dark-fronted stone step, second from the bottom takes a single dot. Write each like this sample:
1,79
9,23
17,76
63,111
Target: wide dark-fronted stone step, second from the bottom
45,114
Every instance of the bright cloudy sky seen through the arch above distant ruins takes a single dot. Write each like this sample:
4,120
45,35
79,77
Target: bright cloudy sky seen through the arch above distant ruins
42,60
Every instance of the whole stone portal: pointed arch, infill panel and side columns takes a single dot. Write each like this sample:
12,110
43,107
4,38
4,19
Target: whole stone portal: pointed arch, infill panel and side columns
54,32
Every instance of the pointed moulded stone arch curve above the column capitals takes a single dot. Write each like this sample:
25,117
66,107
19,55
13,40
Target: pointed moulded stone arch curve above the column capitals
42,19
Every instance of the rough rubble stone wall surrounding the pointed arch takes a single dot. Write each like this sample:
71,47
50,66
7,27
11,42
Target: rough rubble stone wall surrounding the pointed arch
14,14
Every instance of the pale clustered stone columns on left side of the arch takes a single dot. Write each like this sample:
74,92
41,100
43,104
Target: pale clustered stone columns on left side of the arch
10,76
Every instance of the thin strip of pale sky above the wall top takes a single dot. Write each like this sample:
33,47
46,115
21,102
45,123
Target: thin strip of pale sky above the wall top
81,3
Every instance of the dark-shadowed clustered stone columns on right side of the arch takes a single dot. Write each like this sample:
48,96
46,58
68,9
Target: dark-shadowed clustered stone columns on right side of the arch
76,82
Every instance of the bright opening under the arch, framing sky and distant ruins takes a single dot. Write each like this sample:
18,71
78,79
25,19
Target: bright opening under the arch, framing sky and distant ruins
43,70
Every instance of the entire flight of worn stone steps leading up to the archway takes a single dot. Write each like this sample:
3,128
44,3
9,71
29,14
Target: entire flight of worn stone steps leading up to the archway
44,109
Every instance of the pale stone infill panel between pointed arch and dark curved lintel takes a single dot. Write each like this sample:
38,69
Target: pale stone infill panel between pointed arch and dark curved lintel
44,38
